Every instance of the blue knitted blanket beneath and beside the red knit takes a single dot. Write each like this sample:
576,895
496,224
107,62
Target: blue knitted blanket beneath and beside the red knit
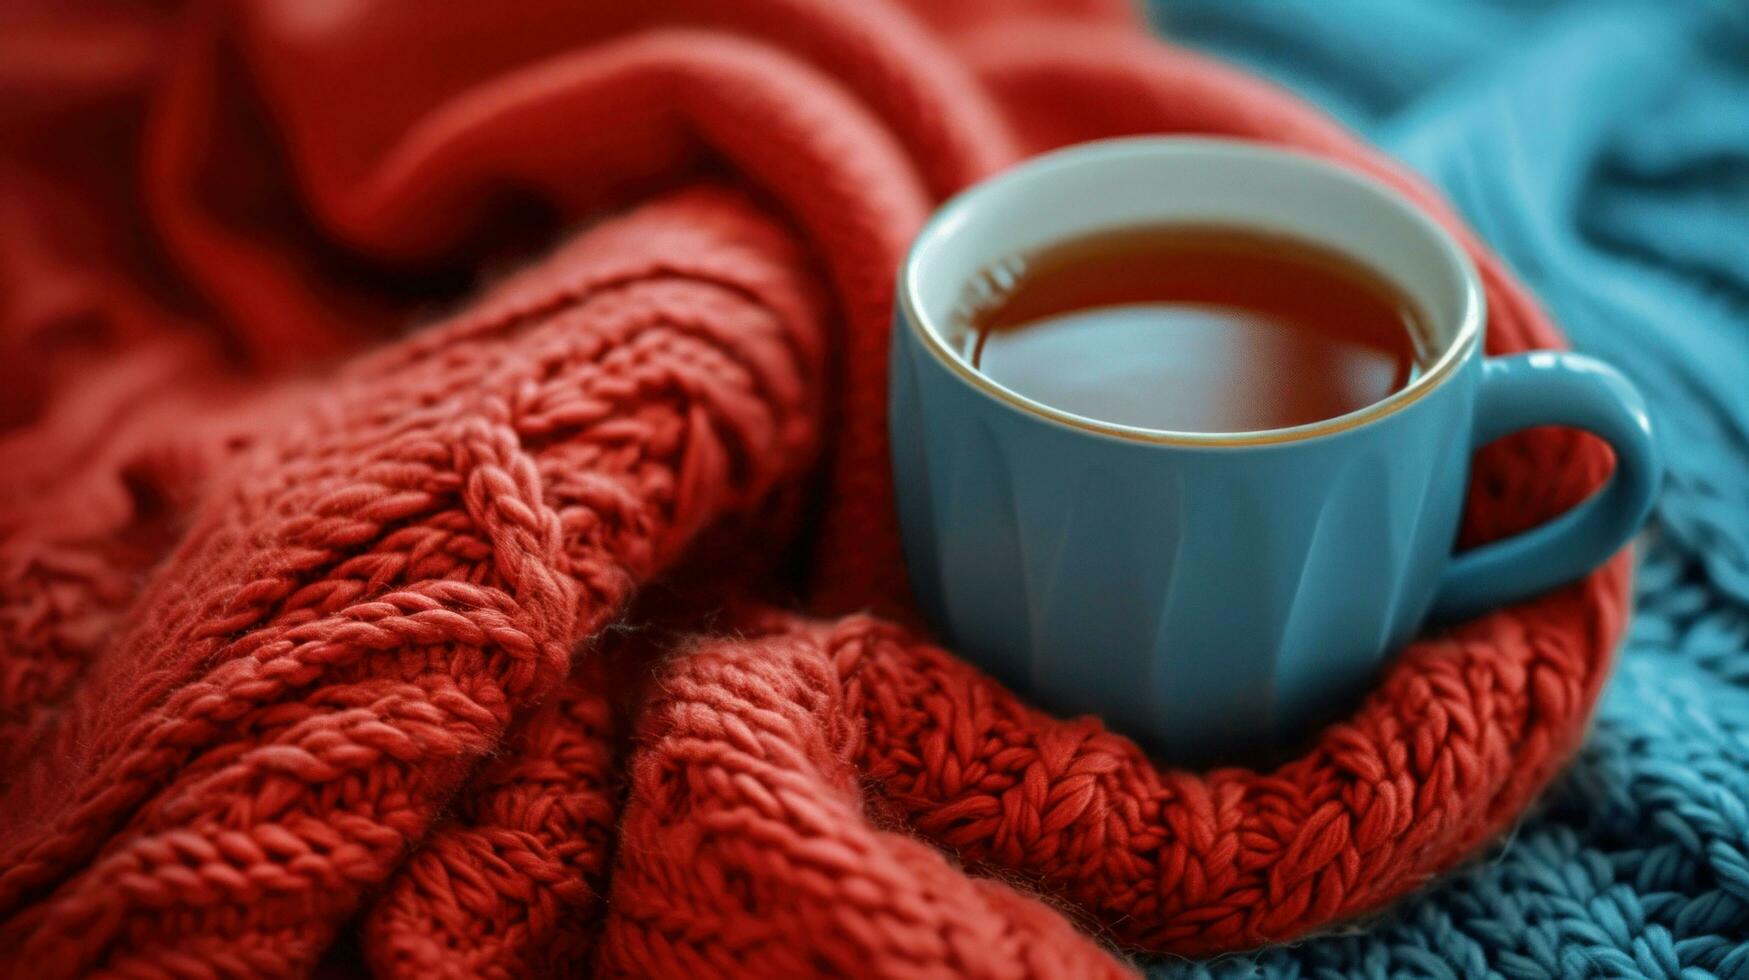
1605,151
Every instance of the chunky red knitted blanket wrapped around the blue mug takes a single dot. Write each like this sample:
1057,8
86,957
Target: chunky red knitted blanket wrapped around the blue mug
380,596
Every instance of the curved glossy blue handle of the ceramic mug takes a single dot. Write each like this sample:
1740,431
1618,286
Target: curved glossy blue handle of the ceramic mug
1550,388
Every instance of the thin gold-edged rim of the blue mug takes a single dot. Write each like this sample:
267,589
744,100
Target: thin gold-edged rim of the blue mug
1460,349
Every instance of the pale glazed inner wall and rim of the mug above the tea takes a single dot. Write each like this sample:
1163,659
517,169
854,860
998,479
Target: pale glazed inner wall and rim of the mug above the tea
1194,181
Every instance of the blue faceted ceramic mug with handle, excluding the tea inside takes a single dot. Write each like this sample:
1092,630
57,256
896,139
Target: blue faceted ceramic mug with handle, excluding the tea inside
1222,594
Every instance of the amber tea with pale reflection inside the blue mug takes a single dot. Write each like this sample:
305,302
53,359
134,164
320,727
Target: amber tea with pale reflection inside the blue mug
1194,330
